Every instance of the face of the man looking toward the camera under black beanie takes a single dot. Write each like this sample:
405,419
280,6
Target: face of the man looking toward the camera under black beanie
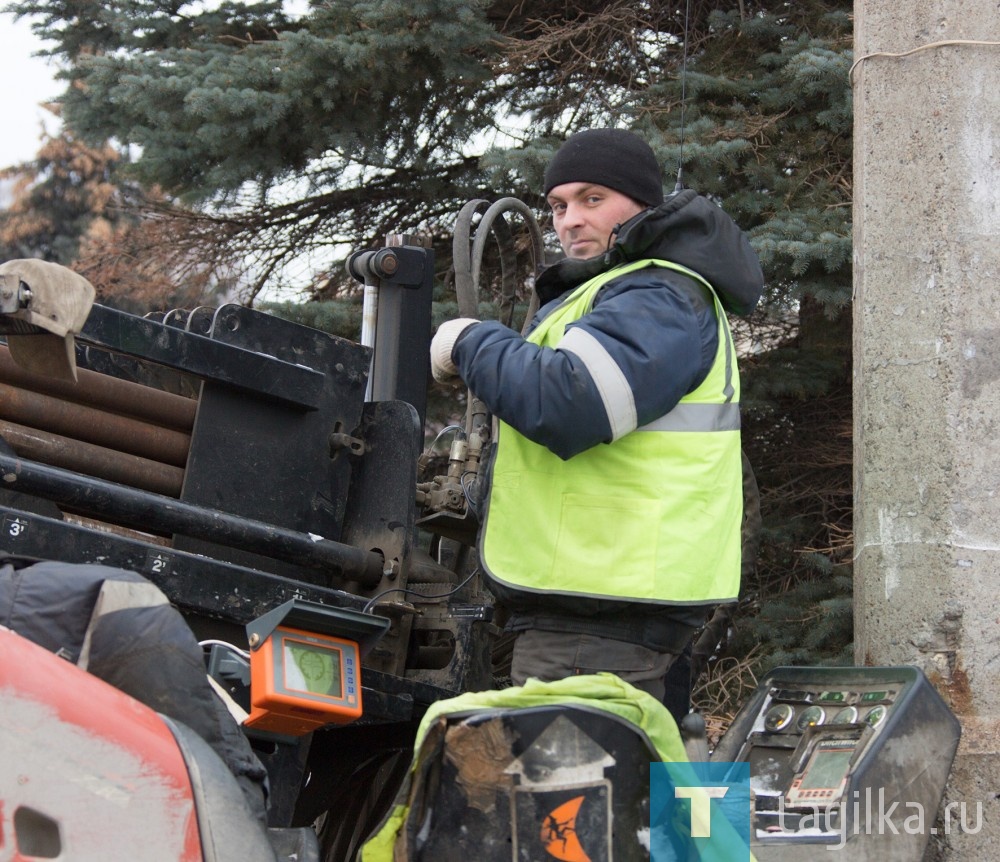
584,214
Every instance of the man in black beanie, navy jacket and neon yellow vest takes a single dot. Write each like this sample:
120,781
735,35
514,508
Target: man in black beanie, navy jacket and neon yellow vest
612,524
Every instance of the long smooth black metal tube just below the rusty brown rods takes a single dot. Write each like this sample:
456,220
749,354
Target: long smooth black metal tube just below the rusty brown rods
155,513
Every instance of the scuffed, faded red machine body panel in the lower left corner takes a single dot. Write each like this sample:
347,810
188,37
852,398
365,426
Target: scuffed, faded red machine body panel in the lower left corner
86,772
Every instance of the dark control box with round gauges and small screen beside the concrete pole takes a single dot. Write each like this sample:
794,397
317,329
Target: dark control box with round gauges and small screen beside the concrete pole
832,749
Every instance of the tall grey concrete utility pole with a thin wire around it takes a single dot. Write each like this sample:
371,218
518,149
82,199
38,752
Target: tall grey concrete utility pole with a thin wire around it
927,373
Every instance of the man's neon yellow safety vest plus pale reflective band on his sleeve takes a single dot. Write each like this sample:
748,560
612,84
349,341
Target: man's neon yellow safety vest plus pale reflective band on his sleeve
653,515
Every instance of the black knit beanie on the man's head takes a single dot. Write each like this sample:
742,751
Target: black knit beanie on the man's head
614,158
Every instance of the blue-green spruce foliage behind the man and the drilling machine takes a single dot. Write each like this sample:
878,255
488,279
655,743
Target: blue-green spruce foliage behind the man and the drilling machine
292,139
